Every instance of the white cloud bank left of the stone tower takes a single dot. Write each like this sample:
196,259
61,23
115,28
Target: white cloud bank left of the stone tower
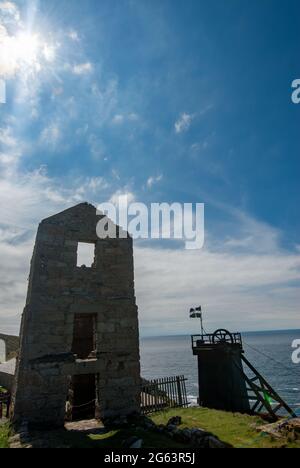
26,199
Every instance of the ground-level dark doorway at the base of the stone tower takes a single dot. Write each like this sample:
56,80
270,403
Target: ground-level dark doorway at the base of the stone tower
82,397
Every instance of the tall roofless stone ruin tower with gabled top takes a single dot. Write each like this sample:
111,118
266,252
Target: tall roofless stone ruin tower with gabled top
79,334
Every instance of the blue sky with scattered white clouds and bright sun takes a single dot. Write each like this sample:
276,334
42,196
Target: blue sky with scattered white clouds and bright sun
167,101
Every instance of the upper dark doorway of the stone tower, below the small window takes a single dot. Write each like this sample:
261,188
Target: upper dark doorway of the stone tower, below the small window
84,338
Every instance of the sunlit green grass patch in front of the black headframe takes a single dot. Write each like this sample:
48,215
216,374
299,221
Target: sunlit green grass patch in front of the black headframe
239,430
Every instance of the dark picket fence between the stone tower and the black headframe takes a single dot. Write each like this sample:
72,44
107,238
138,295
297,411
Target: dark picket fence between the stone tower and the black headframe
160,394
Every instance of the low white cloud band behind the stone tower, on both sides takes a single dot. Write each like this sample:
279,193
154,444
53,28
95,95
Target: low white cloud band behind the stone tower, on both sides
240,285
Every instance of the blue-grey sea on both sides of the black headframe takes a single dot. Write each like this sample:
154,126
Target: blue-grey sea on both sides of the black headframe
270,352
